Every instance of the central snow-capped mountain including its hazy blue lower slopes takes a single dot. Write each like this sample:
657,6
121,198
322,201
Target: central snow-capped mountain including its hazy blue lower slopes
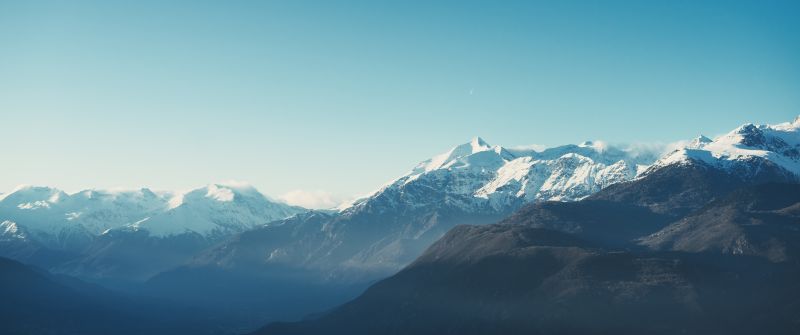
472,183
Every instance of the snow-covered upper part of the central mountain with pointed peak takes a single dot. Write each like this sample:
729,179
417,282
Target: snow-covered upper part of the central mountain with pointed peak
476,176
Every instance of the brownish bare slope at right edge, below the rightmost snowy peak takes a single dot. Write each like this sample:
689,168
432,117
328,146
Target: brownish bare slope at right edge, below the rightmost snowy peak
763,221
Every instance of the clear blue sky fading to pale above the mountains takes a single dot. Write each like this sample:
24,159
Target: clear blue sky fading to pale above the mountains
338,97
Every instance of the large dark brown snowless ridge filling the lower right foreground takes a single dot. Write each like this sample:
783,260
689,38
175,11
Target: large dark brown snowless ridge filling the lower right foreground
686,251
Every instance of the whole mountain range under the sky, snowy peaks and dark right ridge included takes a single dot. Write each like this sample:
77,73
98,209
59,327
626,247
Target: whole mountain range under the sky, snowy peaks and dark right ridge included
480,239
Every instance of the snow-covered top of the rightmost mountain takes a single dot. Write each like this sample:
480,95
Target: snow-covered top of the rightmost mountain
745,151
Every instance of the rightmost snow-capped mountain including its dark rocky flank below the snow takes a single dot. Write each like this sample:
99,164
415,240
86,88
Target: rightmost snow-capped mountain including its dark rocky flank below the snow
703,168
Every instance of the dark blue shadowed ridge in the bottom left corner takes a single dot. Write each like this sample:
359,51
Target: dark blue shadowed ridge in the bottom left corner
36,302
